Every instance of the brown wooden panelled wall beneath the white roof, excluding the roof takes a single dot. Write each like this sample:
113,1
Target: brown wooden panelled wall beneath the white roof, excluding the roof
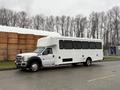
13,43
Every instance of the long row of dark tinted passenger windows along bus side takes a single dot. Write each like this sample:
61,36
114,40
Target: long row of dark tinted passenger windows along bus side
79,44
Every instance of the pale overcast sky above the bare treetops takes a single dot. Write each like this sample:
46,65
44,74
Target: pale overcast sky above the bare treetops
59,7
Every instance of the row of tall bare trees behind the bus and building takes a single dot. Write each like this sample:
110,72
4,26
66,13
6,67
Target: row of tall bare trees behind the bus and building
103,25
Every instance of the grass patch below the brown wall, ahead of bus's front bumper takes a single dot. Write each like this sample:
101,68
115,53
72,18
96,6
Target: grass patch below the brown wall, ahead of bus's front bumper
7,64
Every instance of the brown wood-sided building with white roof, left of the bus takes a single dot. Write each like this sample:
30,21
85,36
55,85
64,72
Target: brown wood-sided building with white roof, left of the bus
15,40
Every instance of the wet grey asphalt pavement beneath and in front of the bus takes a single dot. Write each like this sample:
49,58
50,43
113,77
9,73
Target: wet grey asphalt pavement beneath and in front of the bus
99,76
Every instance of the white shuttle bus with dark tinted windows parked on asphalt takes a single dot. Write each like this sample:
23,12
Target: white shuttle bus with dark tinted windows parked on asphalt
54,51
